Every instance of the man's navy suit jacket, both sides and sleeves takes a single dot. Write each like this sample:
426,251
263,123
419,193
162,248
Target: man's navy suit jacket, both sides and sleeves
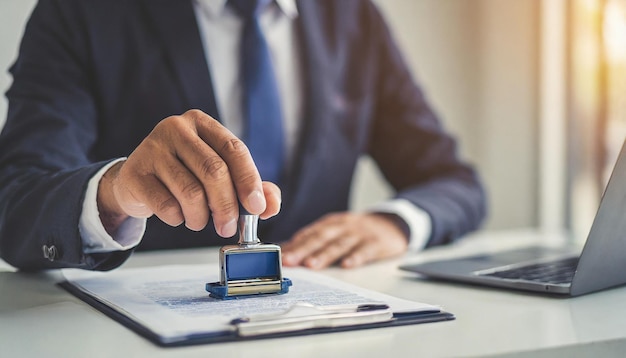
93,77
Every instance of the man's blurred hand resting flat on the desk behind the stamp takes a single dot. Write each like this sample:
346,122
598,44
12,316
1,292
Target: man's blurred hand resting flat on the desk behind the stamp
348,239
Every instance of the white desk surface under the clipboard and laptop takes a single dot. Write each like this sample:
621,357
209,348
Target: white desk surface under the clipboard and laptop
39,319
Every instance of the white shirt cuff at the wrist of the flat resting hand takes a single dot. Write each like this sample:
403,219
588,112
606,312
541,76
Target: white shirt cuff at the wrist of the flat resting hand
418,220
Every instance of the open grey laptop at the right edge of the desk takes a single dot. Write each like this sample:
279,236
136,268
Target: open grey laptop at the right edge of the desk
600,265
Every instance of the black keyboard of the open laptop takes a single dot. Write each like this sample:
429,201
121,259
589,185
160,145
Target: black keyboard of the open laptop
560,271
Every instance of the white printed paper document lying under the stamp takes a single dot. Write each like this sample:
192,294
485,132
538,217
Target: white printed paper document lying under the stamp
171,301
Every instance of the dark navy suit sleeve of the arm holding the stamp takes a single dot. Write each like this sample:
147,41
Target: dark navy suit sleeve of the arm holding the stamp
45,159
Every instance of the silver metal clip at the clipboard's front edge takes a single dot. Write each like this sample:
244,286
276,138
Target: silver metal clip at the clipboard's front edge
305,316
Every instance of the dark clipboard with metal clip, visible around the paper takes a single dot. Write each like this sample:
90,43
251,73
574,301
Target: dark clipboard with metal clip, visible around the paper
298,320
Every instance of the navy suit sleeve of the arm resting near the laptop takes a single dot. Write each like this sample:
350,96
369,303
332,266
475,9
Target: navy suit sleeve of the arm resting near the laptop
416,155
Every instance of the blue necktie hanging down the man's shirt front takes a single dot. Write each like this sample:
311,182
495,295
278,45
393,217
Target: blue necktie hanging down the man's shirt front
261,103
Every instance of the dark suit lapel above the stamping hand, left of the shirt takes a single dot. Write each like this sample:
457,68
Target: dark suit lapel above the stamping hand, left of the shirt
174,22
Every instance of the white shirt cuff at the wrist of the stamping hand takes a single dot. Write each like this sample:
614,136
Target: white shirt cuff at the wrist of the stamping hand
94,236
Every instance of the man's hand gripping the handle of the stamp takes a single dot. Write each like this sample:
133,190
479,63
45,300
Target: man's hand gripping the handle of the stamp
189,168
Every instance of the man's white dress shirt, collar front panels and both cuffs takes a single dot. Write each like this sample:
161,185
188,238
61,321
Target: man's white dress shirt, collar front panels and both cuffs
220,30
